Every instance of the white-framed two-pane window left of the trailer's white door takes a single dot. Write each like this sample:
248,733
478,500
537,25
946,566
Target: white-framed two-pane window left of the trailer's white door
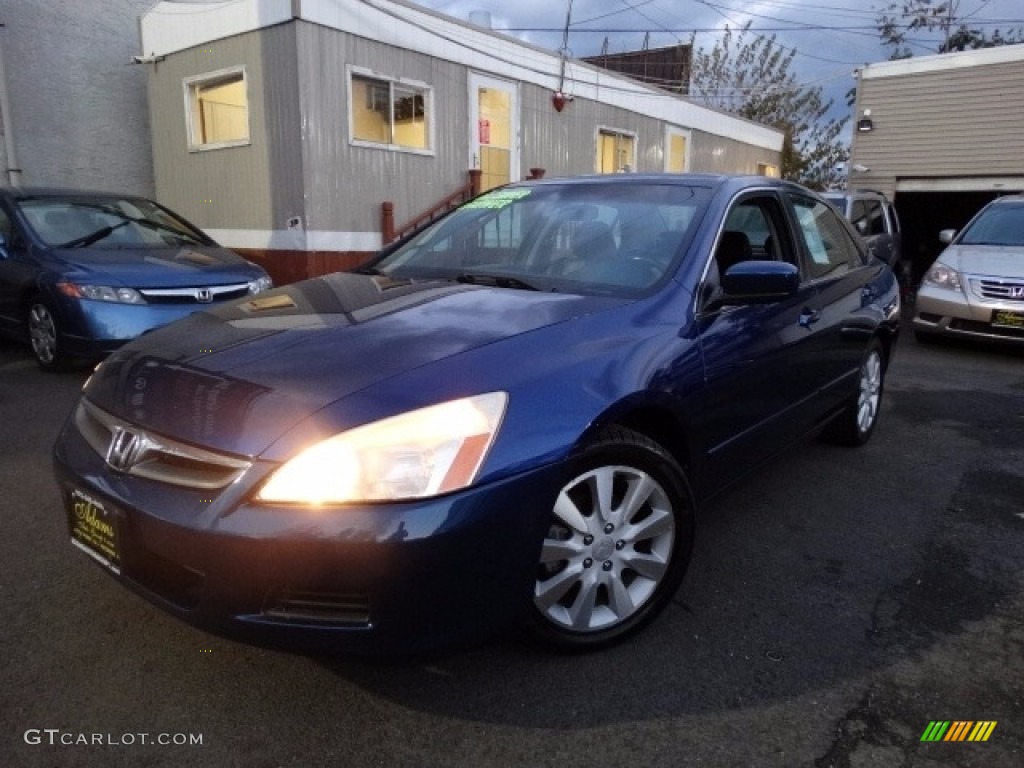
390,113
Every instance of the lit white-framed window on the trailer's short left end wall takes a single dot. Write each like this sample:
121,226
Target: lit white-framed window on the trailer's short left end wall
218,109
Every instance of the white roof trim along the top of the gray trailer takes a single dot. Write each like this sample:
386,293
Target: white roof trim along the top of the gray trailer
175,27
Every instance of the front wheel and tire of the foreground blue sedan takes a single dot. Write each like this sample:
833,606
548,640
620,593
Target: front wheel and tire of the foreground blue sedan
618,547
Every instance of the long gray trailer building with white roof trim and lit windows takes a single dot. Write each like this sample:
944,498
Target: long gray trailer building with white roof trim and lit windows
282,126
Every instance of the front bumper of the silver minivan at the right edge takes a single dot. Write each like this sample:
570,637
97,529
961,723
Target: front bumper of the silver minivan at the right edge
944,313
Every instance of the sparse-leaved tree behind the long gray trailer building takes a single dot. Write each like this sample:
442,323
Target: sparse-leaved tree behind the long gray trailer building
752,76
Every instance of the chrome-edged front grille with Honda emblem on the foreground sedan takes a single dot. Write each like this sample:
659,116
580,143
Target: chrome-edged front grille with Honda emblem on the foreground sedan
136,452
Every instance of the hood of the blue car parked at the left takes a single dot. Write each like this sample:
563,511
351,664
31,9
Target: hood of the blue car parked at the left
160,268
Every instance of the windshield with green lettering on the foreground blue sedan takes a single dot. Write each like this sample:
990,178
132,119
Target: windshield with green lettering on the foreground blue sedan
610,239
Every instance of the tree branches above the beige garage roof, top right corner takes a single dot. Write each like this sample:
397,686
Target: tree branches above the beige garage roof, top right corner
900,22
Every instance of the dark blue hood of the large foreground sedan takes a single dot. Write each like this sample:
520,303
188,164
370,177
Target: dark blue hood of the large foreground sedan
237,378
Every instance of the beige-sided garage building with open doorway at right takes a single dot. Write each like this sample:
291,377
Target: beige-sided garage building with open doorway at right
941,136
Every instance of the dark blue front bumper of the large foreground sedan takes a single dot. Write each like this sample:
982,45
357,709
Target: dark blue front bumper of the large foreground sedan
364,580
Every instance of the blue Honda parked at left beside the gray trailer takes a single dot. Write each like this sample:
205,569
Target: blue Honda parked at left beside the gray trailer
83,273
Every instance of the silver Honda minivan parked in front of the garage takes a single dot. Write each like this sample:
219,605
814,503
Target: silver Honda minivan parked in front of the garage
975,289
